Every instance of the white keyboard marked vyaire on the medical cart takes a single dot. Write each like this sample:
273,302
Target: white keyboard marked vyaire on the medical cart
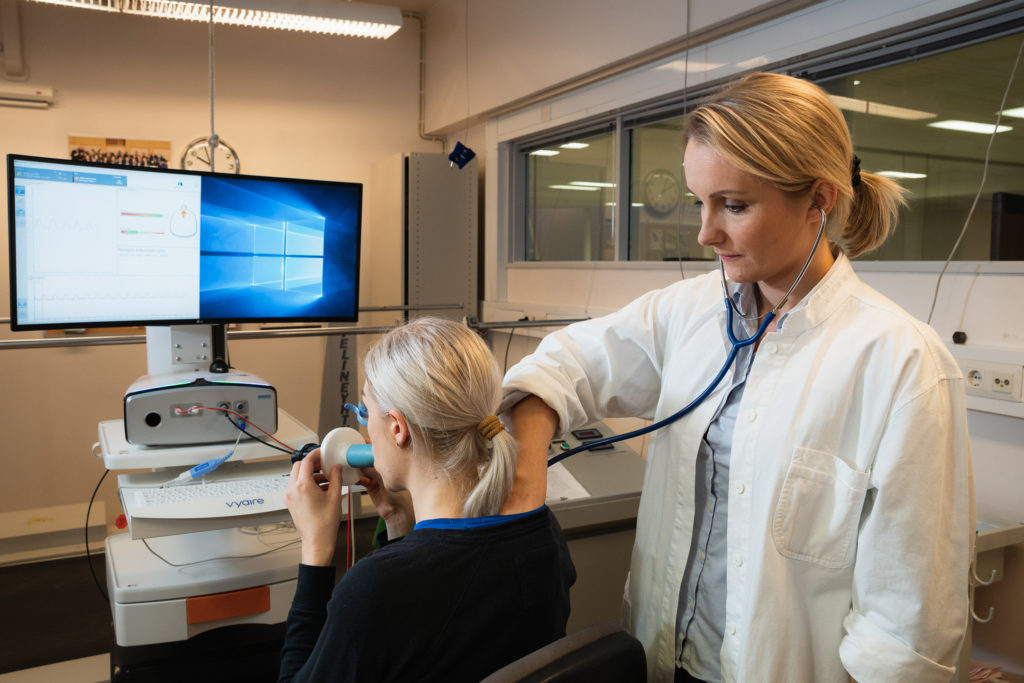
220,499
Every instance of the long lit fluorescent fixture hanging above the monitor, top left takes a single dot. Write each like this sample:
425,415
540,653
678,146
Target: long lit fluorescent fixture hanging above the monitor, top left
338,19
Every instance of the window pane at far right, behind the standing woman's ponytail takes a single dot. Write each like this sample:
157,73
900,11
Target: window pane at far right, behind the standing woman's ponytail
909,122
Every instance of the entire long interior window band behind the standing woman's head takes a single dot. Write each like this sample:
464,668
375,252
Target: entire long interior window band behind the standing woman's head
903,103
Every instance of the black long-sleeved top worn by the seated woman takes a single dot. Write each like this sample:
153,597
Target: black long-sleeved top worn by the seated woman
437,606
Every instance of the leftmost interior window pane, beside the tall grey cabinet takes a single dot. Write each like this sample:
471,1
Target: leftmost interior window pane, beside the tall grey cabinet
571,190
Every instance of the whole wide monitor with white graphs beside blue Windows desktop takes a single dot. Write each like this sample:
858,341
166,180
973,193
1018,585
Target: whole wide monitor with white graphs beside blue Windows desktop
97,245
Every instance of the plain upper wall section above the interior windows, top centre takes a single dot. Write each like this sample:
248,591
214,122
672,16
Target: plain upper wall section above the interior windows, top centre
517,50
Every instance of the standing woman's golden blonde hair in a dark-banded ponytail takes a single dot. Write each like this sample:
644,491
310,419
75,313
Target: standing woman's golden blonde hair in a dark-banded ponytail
789,134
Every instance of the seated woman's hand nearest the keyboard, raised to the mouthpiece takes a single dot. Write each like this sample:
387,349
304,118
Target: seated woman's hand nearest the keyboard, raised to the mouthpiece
316,511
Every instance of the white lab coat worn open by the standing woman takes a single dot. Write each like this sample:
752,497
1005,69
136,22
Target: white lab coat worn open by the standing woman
851,507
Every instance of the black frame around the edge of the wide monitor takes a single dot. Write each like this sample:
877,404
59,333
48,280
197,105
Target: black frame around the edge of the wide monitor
16,326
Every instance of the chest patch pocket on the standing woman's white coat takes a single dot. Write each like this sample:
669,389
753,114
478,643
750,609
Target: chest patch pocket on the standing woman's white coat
820,509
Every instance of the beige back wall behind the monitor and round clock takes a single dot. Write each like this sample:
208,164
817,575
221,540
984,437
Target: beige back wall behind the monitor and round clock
293,105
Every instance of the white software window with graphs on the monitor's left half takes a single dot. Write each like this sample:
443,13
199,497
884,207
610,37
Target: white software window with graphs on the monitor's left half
103,252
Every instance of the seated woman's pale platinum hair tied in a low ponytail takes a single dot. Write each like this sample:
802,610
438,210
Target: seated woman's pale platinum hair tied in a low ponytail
445,381
